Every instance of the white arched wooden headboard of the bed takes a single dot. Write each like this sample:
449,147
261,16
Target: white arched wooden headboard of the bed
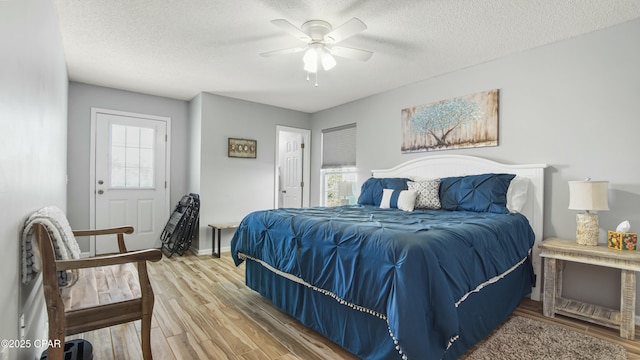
439,166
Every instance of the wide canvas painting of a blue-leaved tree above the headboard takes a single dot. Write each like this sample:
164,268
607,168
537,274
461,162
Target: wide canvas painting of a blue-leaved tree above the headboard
469,121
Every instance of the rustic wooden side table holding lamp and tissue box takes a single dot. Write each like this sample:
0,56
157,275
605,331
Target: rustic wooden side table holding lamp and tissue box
555,251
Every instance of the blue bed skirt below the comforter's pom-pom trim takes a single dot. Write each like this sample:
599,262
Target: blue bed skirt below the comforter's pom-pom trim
366,335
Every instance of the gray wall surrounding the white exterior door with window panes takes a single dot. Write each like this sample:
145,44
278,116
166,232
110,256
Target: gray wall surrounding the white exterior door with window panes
82,98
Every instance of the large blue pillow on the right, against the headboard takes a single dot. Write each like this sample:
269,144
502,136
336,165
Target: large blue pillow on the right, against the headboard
479,193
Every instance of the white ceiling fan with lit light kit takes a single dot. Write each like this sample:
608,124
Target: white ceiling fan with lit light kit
321,41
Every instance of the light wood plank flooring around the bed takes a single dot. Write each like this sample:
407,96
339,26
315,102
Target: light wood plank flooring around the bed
203,310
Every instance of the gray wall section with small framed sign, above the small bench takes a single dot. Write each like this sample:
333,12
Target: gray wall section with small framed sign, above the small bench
230,188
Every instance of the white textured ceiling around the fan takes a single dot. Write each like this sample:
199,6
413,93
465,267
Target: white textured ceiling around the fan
178,48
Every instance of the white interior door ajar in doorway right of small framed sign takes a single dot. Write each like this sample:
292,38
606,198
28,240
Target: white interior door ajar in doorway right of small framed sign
291,181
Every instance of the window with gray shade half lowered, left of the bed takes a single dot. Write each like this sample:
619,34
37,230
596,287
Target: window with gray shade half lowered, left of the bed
339,165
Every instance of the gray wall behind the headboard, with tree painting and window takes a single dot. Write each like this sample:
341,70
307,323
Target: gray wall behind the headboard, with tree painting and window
573,105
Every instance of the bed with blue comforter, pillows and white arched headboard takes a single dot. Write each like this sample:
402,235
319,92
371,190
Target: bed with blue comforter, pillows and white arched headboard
387,281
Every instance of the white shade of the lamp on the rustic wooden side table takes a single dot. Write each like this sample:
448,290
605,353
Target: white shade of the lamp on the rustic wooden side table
588,195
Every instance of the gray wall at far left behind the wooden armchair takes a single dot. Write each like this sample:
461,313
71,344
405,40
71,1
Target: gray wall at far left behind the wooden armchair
33,149
